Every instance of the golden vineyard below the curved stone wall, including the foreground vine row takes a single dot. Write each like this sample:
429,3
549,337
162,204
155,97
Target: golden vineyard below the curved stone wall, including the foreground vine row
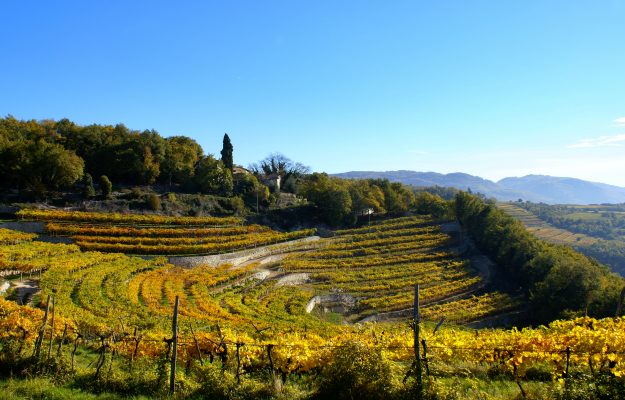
259,312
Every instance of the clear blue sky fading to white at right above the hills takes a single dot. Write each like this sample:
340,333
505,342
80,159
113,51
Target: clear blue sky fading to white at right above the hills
490,88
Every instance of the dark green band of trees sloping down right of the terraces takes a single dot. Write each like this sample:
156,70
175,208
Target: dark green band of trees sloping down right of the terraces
557,280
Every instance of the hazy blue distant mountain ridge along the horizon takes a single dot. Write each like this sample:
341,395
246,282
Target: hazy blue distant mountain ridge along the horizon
535,188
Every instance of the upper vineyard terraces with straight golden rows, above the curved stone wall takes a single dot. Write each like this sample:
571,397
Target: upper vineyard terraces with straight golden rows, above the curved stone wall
157,235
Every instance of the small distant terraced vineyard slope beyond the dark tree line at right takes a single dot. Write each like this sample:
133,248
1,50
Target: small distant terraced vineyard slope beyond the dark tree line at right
545,231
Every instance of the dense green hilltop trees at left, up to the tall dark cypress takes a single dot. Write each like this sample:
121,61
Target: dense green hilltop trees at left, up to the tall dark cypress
38,156
